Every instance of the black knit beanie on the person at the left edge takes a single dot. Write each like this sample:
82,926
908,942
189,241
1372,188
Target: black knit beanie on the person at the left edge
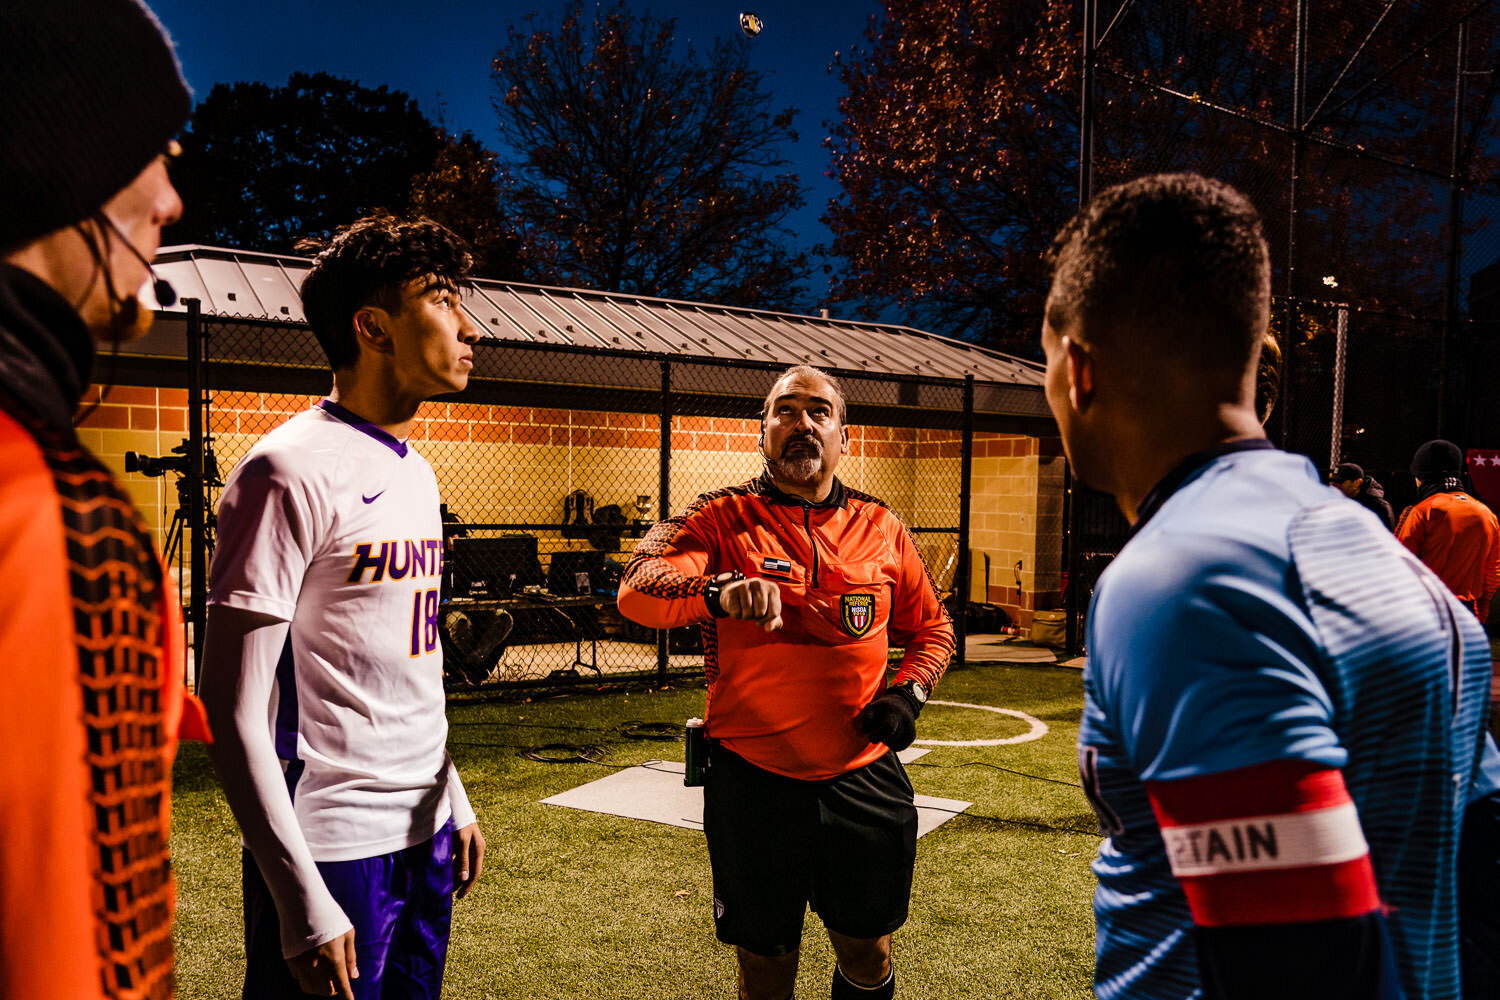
92,94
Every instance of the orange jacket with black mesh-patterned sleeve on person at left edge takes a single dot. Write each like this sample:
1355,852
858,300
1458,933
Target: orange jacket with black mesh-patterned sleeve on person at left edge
92,665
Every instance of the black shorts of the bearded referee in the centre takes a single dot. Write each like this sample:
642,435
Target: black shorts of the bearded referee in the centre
847,846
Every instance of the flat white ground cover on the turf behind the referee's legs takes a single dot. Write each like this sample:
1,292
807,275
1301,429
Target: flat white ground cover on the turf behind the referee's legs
655,792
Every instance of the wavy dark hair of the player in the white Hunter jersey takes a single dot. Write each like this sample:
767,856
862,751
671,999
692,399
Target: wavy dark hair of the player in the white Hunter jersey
368,263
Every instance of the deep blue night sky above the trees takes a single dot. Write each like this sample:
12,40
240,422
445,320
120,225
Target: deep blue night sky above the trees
440,52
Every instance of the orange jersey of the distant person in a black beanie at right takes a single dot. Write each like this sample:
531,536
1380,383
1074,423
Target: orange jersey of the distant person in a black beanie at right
1459,539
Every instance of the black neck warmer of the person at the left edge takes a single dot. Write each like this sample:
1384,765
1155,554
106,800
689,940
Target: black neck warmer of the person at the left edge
46,350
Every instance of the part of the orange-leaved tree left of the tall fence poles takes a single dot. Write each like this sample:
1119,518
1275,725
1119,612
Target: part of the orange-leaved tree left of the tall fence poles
953,161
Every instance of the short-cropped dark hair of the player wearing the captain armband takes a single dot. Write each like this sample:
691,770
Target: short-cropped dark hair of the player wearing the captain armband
1178,262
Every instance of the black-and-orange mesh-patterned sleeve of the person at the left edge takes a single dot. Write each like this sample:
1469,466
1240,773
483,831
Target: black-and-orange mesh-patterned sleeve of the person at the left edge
118,590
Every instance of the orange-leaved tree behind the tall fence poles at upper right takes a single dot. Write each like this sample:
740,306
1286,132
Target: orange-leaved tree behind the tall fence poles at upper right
958,148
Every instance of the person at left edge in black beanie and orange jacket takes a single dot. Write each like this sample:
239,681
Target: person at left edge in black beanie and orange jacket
91,636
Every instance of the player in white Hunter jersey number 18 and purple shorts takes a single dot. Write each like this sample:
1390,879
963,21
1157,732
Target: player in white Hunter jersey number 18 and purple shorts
323,671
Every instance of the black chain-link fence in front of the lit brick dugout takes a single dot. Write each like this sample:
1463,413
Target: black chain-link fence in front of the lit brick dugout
553,464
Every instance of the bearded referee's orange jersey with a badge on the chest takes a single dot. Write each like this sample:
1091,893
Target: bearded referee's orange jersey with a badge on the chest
853,585
